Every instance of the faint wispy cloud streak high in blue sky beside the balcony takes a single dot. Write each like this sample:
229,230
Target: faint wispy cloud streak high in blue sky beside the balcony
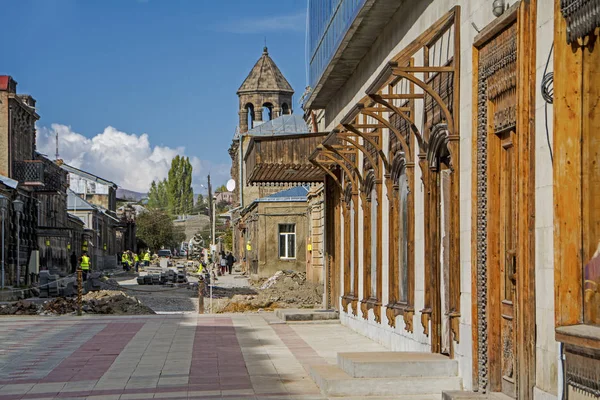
277,23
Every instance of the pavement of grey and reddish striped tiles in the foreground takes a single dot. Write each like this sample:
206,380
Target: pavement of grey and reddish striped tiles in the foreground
228,356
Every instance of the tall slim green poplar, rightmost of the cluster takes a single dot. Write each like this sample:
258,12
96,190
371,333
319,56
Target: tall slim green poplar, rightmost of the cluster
180,192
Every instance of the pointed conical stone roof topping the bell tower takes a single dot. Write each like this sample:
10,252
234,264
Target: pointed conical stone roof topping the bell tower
265,76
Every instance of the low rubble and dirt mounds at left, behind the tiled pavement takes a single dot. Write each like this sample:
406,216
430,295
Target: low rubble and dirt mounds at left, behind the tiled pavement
99,302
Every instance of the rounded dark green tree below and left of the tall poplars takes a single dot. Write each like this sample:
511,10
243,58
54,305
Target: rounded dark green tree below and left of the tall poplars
155,228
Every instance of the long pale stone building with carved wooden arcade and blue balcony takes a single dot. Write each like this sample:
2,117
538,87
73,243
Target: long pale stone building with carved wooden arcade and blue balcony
439,236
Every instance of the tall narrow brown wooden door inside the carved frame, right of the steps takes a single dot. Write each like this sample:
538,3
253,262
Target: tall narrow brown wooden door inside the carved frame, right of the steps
508,261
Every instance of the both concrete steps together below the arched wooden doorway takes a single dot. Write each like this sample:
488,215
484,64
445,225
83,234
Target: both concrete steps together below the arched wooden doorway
376,374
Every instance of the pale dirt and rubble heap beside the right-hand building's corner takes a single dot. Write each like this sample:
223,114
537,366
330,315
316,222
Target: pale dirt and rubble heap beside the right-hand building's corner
285,289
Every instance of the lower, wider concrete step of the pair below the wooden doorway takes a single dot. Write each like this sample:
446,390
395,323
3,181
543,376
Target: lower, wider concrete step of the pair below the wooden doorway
335,382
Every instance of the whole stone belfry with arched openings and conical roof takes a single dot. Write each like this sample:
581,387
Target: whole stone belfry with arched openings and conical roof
264,95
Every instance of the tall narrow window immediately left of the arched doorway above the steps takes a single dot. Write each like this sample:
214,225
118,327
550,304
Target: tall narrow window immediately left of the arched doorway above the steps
403,239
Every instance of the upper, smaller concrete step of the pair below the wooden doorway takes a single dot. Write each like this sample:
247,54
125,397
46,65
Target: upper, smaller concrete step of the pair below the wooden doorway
396,364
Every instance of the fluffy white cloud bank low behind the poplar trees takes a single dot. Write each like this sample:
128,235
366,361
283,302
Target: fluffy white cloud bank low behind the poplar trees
129,160
